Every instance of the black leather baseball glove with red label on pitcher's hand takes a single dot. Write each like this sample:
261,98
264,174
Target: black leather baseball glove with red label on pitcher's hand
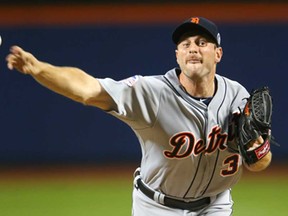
255,121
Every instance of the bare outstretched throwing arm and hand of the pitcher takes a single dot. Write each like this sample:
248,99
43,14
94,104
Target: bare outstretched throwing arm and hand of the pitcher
71,82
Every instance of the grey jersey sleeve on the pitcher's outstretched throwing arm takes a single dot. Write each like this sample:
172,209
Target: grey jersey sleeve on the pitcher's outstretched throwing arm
136,99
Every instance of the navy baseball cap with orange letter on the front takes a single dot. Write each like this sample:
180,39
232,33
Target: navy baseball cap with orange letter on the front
197,23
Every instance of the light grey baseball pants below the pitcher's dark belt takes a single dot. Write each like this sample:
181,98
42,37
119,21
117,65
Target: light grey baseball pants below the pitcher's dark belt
144,206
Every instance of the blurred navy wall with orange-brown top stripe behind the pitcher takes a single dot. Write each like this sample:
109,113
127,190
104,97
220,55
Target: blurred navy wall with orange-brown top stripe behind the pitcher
119,39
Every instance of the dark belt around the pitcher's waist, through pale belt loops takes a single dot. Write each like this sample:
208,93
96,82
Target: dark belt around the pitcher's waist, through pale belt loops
168,201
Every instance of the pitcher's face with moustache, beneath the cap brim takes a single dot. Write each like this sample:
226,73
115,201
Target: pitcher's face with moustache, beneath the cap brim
197,55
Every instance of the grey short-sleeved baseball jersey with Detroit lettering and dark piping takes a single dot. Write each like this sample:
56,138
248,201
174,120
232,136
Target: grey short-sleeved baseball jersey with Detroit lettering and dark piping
187,148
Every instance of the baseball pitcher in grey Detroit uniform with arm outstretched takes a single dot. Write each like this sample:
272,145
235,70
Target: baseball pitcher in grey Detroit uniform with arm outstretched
196,128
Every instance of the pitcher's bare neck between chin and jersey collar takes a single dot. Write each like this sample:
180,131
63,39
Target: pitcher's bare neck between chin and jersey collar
202,87
